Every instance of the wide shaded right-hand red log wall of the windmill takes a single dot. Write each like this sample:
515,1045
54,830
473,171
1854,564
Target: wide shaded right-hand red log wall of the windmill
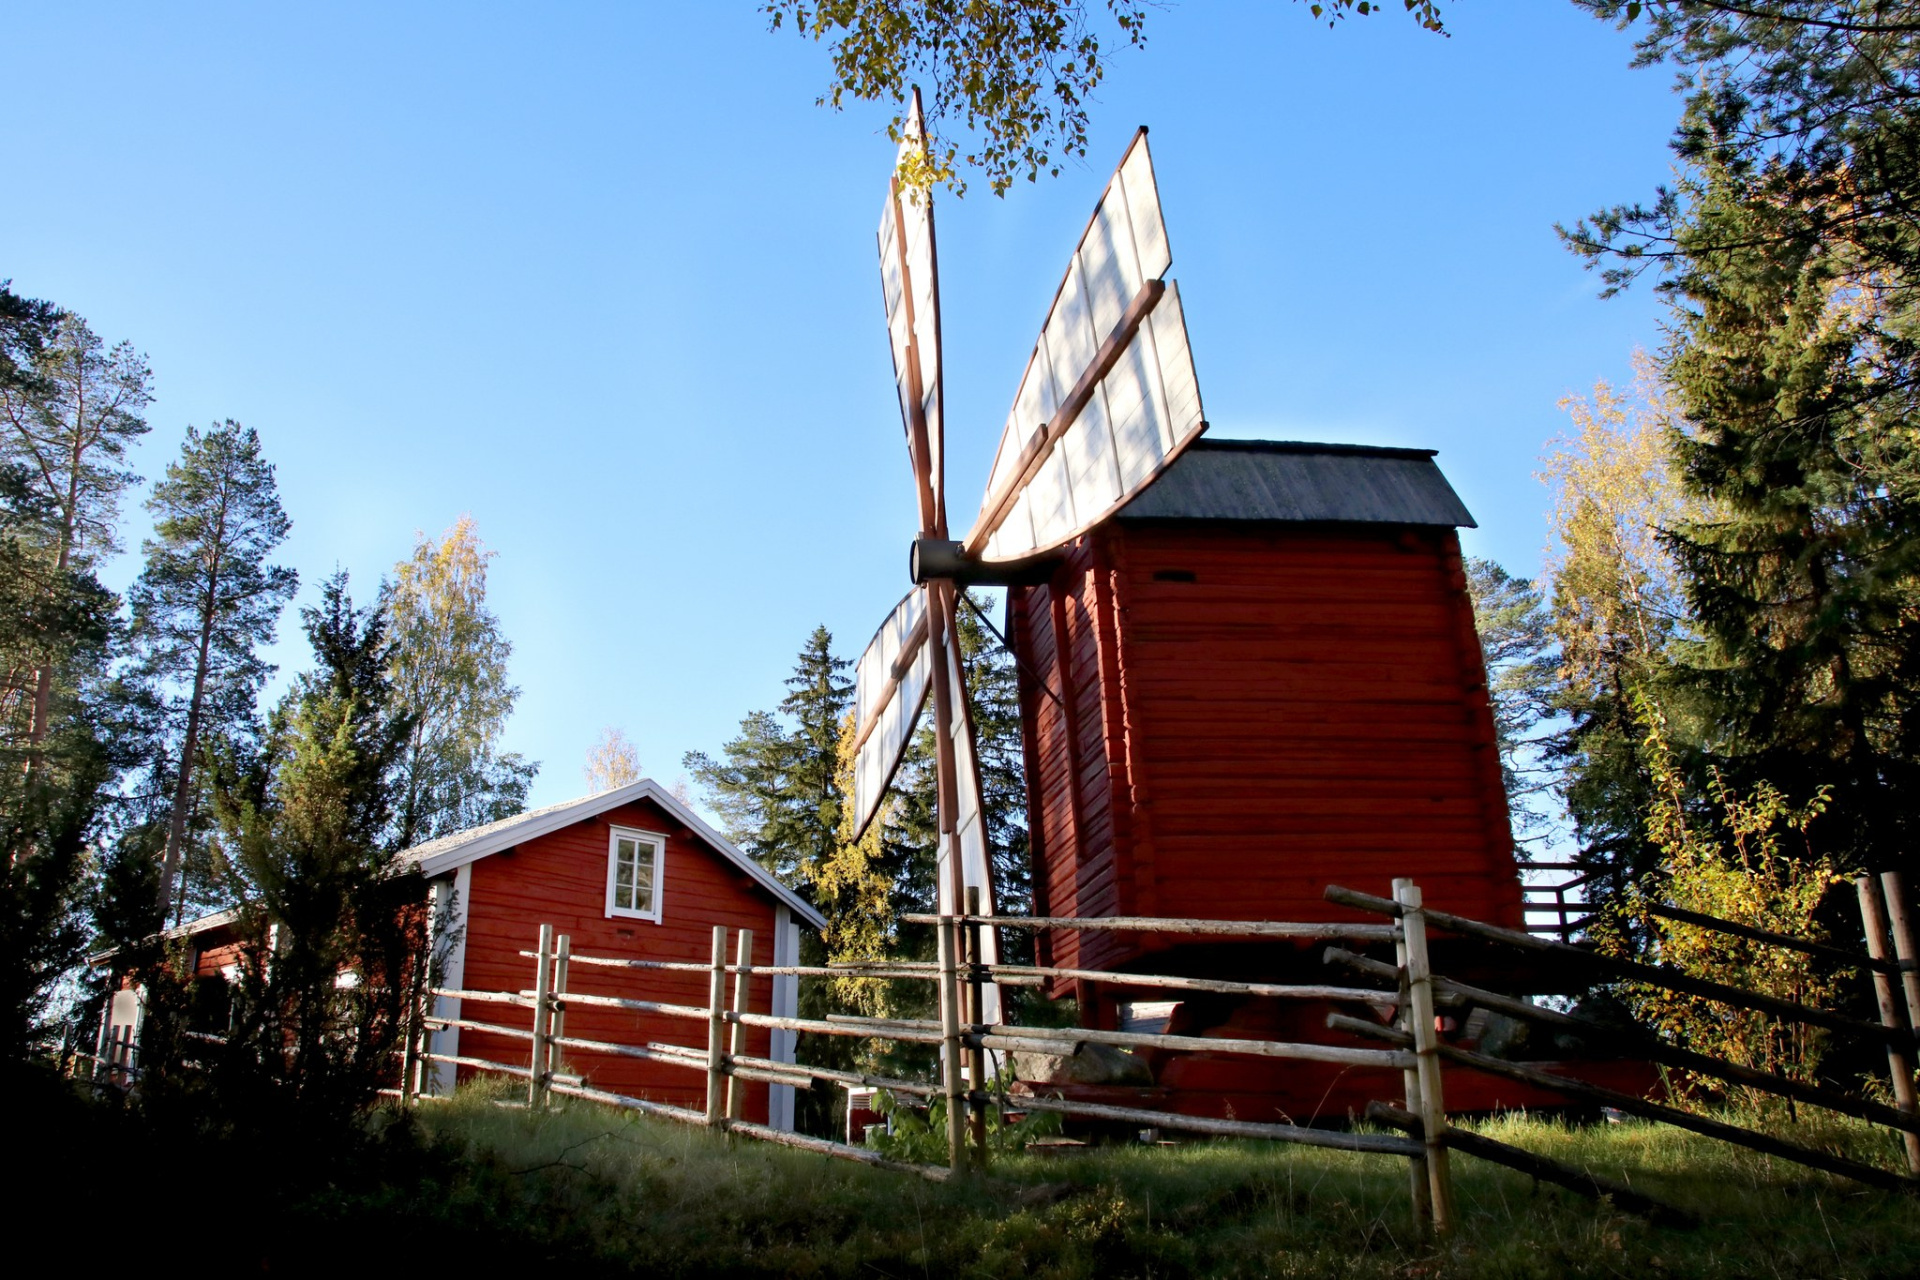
1314,707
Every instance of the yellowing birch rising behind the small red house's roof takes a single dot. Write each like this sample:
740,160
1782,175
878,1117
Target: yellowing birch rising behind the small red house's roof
450,675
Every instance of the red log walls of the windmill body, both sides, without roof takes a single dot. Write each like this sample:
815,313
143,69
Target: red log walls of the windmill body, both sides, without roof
1251,715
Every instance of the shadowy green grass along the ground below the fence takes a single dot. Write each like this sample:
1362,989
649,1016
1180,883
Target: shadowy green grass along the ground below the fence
613,1193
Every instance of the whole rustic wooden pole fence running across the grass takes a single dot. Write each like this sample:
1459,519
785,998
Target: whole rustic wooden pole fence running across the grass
1410,1045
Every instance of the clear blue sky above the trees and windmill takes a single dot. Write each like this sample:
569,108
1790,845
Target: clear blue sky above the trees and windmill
602,275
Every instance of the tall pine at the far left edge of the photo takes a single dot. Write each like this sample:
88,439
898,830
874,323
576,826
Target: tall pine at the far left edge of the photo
68,414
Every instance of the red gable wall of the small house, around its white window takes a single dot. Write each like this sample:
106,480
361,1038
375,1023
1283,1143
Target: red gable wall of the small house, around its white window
562,880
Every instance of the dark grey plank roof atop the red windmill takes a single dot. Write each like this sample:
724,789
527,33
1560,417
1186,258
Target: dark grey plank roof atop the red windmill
1301,483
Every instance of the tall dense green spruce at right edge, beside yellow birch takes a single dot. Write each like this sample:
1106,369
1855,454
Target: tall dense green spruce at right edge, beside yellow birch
1808,581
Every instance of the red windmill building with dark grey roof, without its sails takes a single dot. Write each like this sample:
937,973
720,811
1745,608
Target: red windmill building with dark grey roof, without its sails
1255,680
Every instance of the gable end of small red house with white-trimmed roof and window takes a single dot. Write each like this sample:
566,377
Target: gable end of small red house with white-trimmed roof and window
629,874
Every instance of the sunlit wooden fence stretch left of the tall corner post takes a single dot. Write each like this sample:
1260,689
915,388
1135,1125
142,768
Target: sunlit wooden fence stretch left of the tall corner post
959,1033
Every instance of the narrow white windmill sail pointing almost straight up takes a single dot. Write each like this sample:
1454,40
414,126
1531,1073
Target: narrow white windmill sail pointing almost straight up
911,287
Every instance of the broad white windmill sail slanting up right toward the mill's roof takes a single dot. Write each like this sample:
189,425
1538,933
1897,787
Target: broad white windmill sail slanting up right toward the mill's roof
1111,392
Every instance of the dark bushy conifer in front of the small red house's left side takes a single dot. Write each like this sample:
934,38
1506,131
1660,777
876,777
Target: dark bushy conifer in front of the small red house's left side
333,937
